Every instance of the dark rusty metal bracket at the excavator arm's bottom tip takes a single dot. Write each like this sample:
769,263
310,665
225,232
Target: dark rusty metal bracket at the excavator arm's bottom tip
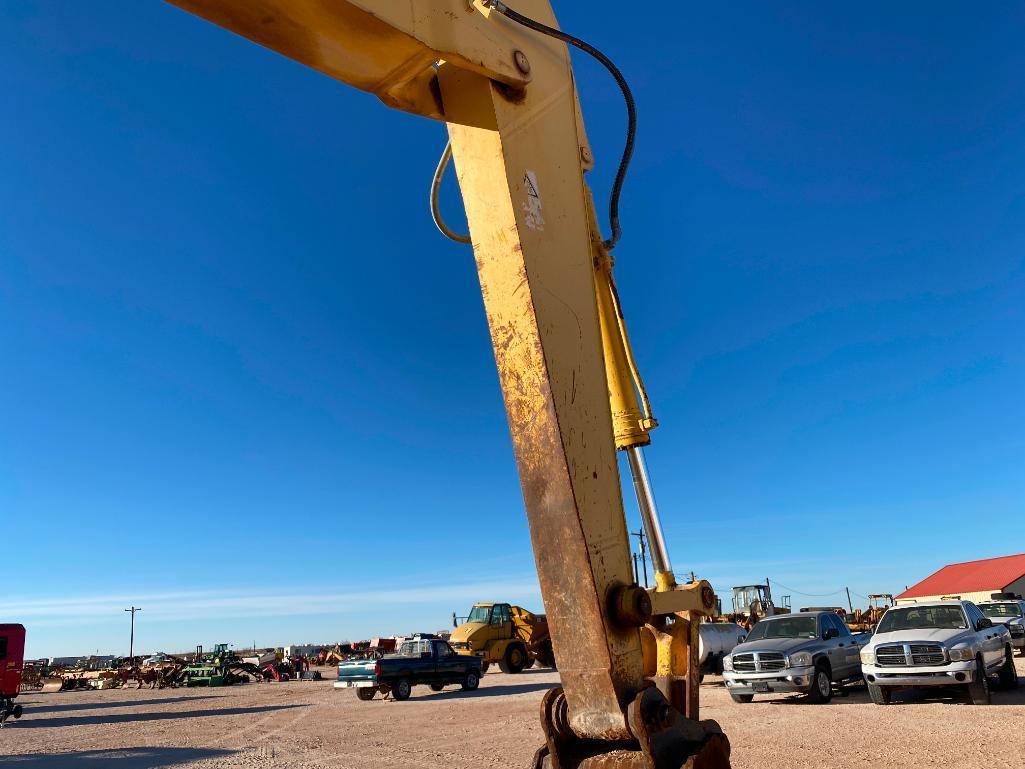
665,740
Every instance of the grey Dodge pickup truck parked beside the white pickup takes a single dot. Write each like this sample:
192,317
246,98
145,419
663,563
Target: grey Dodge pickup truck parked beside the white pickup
805,653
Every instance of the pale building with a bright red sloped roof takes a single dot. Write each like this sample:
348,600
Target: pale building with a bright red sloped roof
972,581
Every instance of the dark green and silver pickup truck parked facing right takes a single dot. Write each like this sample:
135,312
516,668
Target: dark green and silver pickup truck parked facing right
422,660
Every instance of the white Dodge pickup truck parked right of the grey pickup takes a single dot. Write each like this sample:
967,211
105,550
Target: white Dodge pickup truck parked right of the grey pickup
937,643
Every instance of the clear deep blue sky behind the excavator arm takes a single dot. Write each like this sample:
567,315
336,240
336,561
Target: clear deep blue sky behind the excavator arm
245,385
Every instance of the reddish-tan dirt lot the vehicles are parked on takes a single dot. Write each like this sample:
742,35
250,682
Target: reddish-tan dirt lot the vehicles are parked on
301,725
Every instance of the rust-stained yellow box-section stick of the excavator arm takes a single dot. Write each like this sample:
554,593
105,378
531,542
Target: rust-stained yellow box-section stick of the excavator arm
526,204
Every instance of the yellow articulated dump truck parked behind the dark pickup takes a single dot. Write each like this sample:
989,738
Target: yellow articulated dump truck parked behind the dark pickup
508,635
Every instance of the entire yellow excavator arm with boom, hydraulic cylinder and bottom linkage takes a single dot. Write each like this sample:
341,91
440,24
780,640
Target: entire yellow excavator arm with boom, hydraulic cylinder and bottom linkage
627,656
